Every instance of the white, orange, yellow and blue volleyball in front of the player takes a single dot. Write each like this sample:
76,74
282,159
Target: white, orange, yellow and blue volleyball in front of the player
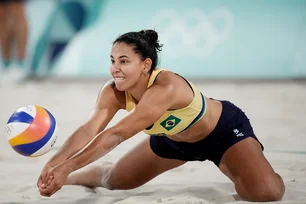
31,131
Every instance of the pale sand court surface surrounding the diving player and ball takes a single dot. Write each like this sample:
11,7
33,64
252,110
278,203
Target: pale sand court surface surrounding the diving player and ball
277,111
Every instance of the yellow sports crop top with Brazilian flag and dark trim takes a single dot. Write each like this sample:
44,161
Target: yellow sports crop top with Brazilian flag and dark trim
173,121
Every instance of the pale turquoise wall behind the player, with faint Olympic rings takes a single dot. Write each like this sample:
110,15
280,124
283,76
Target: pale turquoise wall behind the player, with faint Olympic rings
202,38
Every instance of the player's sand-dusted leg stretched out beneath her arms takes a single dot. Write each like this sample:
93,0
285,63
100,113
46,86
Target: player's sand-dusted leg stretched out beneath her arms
136,168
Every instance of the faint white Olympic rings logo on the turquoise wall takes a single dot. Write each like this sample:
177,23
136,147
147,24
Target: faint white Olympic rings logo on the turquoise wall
193,32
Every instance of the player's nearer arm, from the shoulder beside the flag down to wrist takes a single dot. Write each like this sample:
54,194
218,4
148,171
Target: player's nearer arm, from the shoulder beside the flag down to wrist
155,101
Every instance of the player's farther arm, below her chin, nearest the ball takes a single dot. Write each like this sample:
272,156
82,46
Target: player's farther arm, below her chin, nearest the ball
105,108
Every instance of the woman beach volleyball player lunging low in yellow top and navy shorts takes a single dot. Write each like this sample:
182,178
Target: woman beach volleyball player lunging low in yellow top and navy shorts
183,124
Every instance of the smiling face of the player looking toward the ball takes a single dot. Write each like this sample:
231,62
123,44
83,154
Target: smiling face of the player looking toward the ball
126,66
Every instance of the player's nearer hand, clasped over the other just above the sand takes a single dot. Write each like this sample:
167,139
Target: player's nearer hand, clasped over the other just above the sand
56,179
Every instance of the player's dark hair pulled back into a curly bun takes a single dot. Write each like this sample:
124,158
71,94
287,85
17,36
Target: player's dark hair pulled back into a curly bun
145,43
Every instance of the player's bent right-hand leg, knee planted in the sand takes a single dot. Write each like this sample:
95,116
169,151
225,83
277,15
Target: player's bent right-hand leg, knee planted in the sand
254,178
